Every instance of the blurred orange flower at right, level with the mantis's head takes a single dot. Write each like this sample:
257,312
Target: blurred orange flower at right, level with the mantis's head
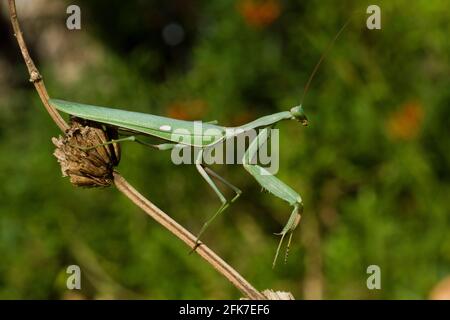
405,123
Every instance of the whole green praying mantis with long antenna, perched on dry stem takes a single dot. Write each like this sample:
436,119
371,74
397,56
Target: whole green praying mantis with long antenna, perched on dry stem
207,137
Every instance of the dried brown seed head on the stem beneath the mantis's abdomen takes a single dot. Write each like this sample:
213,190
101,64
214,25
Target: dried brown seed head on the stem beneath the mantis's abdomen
87,167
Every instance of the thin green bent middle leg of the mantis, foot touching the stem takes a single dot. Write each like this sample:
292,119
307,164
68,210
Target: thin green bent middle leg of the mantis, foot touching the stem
205,173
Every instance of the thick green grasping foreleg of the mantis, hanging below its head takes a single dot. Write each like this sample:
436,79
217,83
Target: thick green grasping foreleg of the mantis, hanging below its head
274,186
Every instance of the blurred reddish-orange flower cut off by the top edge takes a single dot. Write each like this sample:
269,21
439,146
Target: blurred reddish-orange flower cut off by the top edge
259,13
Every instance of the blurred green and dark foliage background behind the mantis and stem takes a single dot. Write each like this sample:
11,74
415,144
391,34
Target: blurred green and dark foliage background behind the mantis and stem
372,167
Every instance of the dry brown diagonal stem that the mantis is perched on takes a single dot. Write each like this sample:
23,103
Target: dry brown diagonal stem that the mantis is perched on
126,188
